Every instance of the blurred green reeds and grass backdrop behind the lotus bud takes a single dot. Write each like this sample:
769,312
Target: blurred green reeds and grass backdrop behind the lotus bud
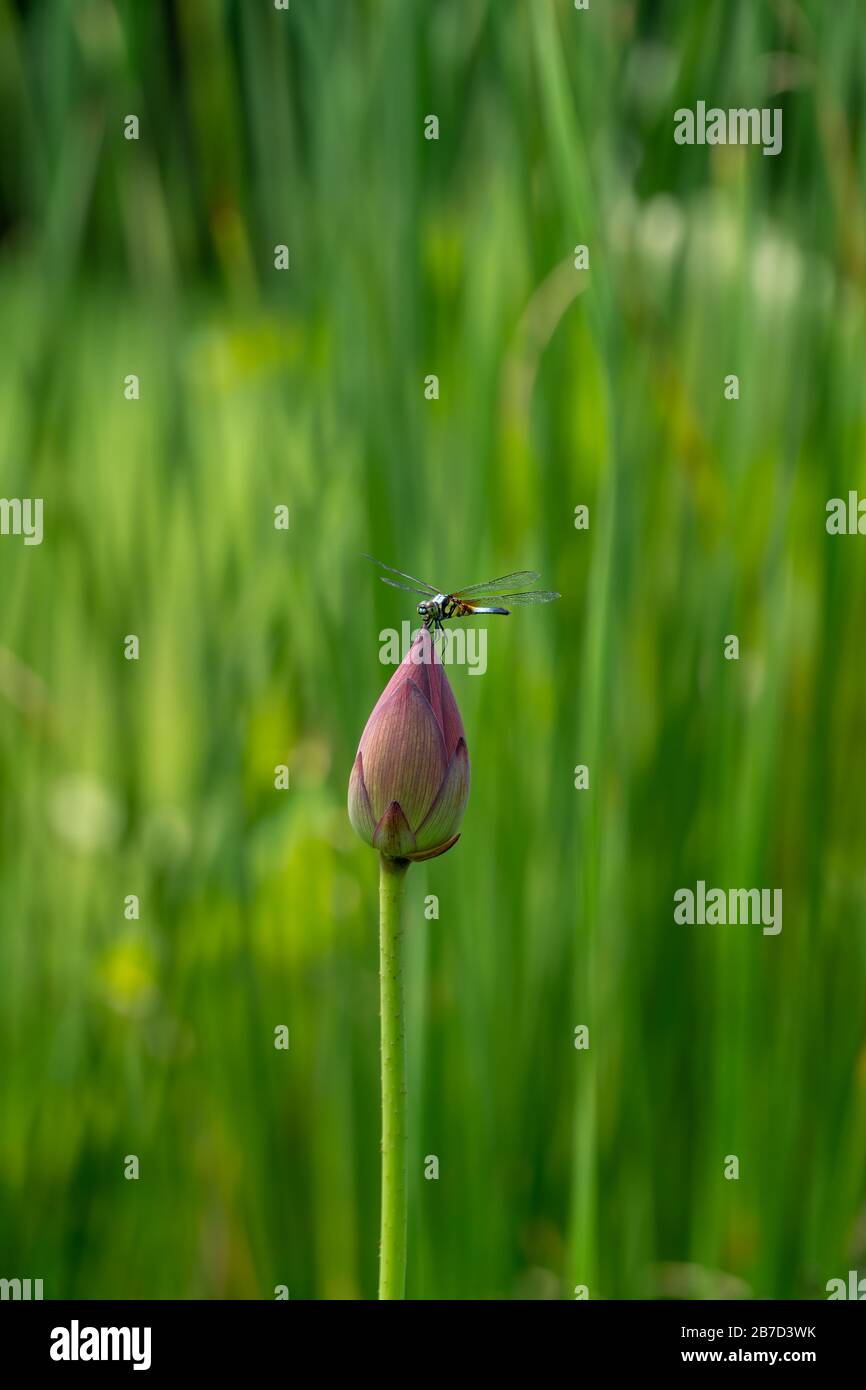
261,647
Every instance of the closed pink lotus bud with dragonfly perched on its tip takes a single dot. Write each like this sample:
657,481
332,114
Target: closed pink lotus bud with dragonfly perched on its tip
409,786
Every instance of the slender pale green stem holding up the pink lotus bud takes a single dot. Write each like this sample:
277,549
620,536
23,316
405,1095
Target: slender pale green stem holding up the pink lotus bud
393,1250
